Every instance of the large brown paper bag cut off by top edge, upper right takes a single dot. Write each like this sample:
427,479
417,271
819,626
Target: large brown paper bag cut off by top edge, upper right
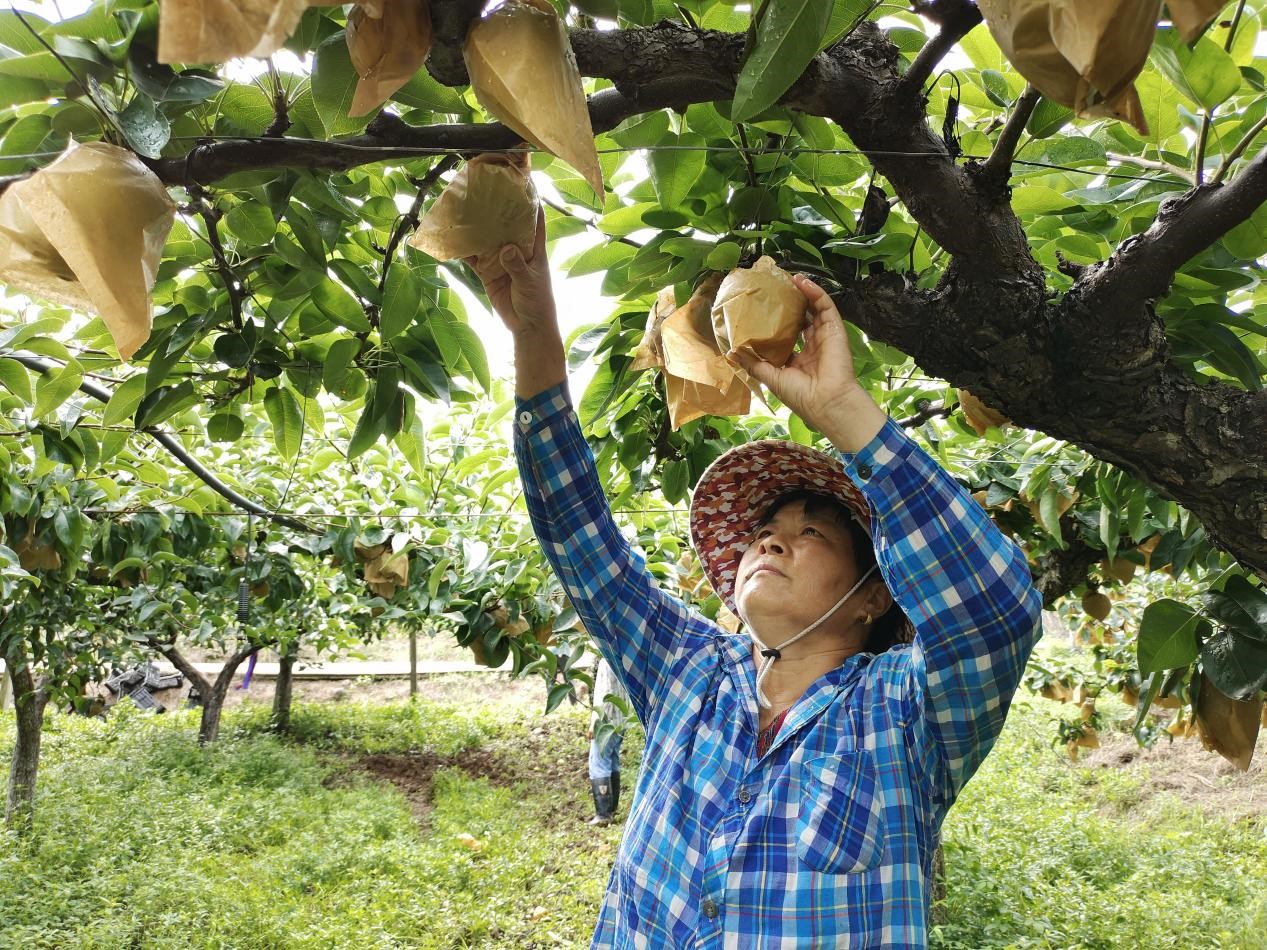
1081,54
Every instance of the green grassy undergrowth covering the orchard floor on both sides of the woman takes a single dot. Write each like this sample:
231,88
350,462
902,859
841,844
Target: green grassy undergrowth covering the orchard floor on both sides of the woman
145,840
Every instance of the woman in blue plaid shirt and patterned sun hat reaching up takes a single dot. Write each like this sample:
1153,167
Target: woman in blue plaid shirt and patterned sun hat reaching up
795,780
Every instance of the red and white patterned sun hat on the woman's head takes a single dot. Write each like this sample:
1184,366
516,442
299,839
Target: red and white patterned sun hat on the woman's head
738,490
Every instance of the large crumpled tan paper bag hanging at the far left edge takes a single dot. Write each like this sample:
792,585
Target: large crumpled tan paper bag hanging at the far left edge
88,231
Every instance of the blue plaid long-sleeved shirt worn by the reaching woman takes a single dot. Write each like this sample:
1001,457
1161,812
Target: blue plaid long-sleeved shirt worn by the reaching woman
827,840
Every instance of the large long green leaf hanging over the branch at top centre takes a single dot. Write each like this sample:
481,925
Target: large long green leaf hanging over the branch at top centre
789,34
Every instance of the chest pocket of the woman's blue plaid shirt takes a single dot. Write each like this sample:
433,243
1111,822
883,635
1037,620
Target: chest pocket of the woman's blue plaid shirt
839,828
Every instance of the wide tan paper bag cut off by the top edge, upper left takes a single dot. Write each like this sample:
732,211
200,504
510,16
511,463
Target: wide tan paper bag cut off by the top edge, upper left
215,31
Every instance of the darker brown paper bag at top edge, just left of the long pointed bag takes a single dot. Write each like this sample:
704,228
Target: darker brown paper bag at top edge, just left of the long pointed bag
388,45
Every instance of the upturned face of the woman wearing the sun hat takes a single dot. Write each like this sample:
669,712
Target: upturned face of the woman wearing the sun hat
796,568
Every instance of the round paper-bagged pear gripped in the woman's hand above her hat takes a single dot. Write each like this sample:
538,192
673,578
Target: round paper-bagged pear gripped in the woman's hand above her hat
760,312
